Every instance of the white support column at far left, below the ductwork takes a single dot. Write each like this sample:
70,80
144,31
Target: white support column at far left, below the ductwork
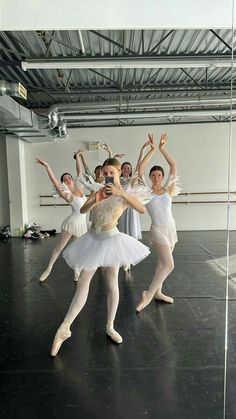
16,183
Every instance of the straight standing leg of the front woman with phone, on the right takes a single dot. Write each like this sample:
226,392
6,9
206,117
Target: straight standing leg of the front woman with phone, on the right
112,302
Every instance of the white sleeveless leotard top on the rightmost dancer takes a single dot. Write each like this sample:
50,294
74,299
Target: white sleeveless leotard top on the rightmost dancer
159,209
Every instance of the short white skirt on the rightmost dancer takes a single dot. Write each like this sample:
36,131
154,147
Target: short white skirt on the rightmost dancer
164,234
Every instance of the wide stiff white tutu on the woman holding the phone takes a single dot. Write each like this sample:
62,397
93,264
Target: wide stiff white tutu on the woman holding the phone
106,248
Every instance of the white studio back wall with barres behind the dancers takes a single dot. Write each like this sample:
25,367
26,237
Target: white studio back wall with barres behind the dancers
201,152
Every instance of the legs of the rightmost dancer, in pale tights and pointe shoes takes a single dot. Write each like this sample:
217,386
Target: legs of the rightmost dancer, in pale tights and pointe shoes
165,264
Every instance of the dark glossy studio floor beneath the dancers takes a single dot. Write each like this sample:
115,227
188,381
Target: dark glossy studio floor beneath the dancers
171,363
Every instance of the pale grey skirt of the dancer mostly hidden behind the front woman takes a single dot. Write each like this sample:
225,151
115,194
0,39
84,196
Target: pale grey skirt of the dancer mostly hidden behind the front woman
129,223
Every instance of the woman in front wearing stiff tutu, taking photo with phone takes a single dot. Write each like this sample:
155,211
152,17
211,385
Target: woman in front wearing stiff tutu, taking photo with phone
102,246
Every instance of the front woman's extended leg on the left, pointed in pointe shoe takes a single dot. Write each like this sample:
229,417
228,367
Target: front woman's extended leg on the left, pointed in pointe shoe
76,306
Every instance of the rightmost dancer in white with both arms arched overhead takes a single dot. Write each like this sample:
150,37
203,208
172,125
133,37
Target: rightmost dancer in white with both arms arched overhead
163,230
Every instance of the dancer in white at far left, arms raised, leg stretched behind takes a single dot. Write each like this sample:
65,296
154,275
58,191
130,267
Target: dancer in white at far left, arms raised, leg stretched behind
75,225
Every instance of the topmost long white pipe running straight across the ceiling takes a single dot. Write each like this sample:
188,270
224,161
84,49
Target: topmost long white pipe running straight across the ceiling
130,62
